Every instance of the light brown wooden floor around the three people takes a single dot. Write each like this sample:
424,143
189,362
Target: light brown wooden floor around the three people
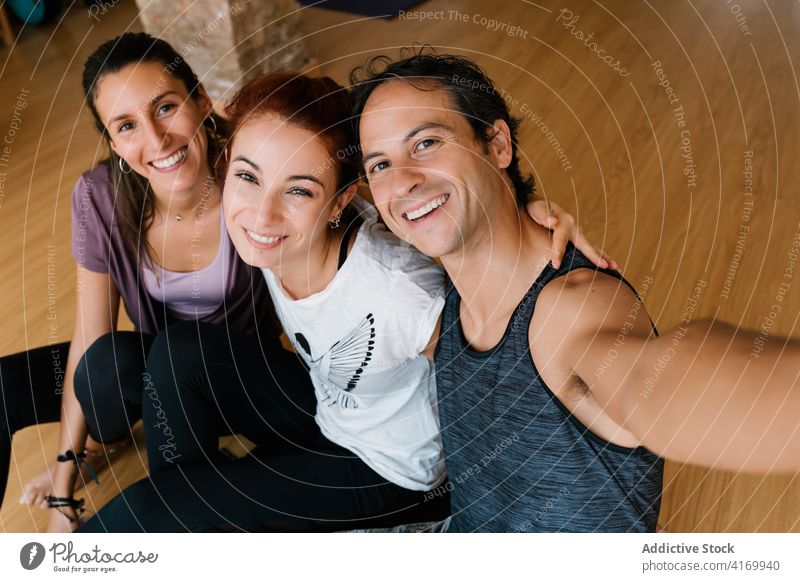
661,184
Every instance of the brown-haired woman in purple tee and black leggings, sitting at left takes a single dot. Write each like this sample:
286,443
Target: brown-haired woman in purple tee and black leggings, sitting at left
148,230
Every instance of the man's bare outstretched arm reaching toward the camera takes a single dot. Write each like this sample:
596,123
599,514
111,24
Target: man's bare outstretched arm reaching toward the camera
695,394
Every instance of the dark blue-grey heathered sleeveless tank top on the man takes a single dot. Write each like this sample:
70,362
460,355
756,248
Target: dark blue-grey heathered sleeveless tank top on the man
517,459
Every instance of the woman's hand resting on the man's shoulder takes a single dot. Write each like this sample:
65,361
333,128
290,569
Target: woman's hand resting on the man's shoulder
551,216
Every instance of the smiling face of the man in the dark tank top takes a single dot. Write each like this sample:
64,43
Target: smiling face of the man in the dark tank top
434,183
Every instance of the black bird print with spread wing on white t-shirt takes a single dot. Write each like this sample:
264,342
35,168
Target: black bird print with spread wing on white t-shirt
341,367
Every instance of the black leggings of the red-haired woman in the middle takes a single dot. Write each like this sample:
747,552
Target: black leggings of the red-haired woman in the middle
203,381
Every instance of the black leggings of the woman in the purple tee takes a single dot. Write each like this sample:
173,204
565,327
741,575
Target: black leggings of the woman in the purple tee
108,384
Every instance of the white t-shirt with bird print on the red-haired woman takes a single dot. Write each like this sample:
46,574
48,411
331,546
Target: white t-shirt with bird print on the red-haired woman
362,337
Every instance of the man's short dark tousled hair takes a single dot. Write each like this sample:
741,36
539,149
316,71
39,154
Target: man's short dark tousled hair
470,90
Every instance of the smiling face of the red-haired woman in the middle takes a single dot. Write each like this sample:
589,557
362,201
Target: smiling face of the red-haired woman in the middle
280,193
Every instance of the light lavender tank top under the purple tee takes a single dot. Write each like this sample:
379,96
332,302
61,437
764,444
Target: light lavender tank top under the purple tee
195,293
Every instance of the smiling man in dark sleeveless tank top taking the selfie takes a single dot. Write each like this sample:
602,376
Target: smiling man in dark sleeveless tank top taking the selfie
556,396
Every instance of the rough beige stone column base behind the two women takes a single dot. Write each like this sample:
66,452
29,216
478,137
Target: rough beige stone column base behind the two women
228,42
